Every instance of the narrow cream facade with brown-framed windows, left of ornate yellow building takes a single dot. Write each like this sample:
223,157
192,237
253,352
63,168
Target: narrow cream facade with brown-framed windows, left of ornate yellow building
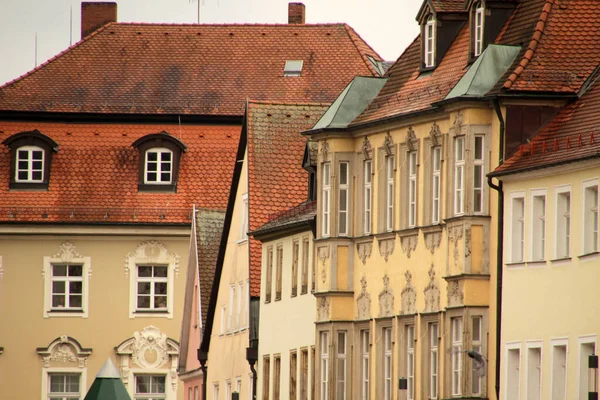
287,333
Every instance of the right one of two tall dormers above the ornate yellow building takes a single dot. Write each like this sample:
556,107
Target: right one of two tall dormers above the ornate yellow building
486,19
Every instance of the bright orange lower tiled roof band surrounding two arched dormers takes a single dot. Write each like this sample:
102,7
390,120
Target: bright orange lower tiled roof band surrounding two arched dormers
94,174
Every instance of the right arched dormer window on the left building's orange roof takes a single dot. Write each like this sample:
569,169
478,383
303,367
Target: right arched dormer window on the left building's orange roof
160,156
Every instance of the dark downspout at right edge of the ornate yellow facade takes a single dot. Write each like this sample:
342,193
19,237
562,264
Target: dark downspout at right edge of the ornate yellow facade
500,247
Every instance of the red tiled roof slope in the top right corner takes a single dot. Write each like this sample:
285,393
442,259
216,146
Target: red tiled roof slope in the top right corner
563,50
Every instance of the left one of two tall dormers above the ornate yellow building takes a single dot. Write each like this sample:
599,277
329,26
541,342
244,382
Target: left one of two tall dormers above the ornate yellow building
440,21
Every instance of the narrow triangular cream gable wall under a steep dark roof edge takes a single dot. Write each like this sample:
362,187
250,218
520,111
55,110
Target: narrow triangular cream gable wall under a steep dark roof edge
228,370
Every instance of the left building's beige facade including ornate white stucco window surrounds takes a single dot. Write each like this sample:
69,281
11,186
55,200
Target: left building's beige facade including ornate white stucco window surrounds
40,340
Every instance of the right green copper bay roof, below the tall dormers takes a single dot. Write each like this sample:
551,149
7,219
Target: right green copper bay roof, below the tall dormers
485,71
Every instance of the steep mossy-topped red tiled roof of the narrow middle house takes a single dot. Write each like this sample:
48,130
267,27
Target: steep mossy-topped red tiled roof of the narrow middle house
276,177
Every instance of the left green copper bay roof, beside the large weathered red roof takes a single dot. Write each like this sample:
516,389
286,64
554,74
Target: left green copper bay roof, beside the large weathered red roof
350,103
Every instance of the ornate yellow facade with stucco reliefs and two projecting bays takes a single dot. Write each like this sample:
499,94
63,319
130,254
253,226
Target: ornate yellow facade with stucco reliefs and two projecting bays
394,293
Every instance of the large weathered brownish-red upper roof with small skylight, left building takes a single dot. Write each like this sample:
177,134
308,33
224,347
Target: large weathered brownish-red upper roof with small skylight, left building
191,69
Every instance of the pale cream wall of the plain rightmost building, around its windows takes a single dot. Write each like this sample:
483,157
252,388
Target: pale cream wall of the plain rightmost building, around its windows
551,302
